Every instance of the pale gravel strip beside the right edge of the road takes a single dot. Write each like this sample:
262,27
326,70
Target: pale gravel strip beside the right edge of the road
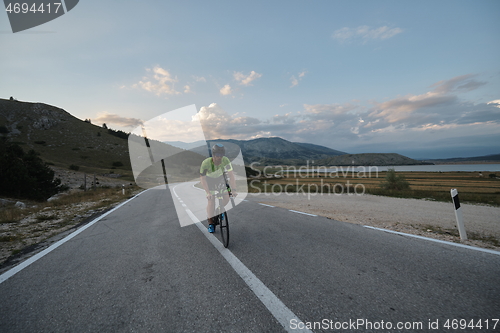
419,217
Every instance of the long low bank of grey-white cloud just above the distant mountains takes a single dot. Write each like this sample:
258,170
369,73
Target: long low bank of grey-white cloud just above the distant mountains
404,122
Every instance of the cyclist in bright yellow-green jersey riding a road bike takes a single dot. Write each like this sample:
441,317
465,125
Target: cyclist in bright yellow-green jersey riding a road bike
211,175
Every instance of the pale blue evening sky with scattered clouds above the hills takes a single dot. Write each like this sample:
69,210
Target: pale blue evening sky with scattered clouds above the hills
418,78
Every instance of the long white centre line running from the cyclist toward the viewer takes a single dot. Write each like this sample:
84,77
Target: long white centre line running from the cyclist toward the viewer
277,308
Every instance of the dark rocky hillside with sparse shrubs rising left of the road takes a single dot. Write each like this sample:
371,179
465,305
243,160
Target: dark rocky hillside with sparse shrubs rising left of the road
60,138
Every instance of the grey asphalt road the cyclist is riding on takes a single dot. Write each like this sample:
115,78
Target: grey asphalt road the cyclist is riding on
138,270
